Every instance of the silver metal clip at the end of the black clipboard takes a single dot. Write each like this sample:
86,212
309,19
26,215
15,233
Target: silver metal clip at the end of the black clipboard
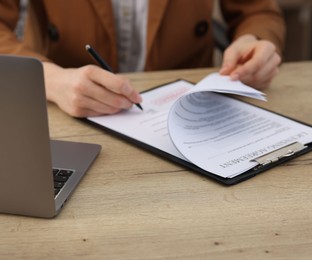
286,151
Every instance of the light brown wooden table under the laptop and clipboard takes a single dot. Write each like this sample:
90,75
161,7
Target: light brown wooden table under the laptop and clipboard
135,205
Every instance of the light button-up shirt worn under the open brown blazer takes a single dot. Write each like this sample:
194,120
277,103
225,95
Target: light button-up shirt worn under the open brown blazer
131,22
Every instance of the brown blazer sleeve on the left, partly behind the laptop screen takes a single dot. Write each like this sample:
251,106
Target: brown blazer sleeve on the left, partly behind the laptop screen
9,43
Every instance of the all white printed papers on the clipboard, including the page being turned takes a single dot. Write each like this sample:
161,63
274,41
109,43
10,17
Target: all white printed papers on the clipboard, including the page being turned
217,133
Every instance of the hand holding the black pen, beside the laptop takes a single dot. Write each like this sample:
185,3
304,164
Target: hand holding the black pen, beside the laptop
88,91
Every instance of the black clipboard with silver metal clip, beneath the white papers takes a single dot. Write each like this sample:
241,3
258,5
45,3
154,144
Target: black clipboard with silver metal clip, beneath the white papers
264,162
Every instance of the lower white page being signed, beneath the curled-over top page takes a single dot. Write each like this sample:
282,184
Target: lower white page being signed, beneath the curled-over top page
150,125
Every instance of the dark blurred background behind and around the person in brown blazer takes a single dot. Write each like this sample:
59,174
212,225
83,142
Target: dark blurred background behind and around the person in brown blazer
298,17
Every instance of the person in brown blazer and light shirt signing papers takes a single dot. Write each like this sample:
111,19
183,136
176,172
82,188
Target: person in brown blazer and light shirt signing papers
139,35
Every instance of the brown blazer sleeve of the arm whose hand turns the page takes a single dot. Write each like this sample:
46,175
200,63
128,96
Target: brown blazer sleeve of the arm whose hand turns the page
262,18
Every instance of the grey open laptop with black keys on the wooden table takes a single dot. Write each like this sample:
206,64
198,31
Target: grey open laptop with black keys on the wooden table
37,175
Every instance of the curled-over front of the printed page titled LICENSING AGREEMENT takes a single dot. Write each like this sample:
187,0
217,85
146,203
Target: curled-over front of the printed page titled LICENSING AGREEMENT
222,135
